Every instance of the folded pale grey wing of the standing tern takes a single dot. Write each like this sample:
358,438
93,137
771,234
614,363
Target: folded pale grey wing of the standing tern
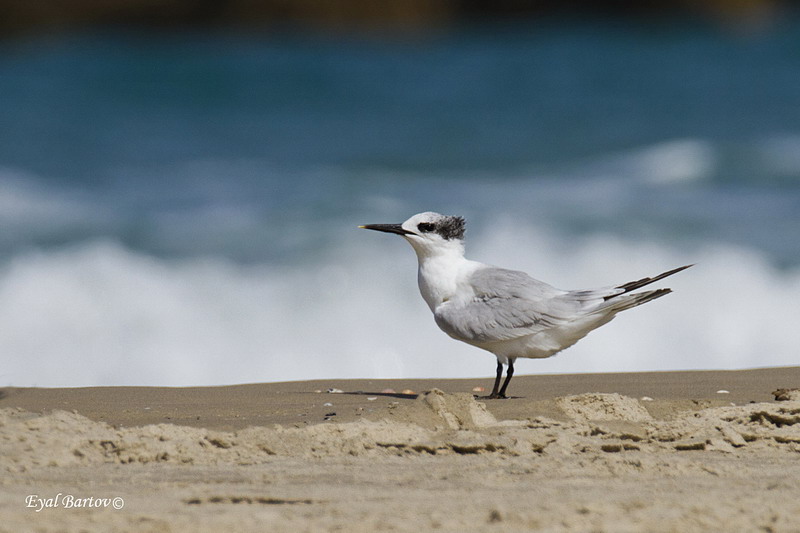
507,304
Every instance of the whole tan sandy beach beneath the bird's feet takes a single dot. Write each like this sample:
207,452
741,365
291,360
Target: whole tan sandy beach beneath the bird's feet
663,451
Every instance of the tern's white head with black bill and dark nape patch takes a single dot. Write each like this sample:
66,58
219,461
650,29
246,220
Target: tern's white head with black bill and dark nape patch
429,233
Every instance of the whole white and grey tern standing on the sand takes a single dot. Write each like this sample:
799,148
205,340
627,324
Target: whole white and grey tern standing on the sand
505,312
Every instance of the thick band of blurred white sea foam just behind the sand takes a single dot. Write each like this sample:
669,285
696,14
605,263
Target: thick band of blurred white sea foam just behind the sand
100,314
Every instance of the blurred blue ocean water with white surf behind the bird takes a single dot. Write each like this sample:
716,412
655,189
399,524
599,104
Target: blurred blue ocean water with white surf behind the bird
182,209
